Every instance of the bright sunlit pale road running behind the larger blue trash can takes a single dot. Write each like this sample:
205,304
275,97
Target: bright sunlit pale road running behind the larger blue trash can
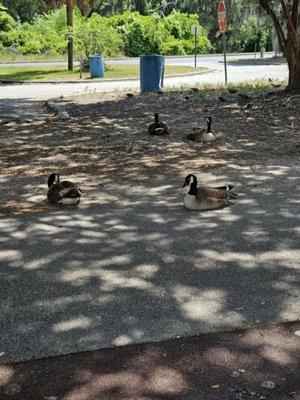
24,101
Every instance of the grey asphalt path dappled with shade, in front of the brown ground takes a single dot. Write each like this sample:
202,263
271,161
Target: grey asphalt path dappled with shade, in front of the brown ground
137,267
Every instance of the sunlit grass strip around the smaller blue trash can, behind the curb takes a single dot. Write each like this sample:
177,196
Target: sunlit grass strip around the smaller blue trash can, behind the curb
60,73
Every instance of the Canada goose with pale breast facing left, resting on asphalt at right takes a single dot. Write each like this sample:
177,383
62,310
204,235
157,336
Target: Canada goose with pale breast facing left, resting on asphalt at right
203,198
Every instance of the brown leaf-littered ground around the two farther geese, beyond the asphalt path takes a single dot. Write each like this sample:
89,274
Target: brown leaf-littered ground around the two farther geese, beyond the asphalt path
107,139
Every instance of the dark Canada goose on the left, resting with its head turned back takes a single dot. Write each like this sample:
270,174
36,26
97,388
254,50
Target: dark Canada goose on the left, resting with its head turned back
64,192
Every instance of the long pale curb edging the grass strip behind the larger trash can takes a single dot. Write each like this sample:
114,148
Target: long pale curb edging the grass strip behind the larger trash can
88,81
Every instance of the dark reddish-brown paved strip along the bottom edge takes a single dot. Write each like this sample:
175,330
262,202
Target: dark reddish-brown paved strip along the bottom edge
257,364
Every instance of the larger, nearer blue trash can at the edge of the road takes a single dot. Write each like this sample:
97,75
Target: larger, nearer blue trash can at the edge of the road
152,70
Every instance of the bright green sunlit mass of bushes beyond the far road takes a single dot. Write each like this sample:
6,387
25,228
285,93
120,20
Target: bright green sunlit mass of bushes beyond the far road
129,34
